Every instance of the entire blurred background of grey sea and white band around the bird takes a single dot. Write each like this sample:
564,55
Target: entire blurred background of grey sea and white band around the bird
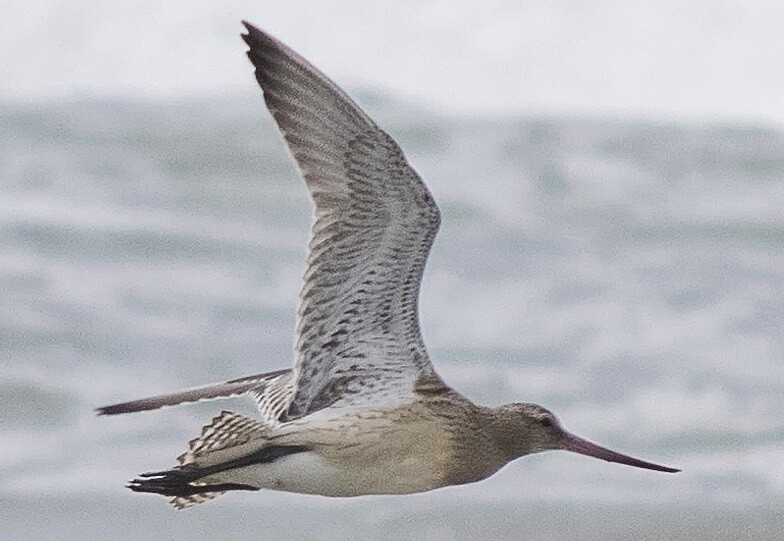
611,178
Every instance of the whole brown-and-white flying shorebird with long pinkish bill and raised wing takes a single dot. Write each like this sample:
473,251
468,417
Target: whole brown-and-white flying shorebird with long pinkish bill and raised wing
363,410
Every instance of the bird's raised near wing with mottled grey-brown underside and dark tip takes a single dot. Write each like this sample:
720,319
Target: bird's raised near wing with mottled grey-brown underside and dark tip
358,334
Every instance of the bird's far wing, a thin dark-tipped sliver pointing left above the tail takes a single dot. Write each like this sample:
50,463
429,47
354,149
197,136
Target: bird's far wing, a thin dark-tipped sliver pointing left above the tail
255,385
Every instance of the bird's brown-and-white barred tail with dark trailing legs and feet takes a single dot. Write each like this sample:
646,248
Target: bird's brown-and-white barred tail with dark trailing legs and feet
230,441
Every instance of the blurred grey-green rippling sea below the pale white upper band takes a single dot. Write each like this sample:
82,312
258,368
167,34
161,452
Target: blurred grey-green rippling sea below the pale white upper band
628,275
